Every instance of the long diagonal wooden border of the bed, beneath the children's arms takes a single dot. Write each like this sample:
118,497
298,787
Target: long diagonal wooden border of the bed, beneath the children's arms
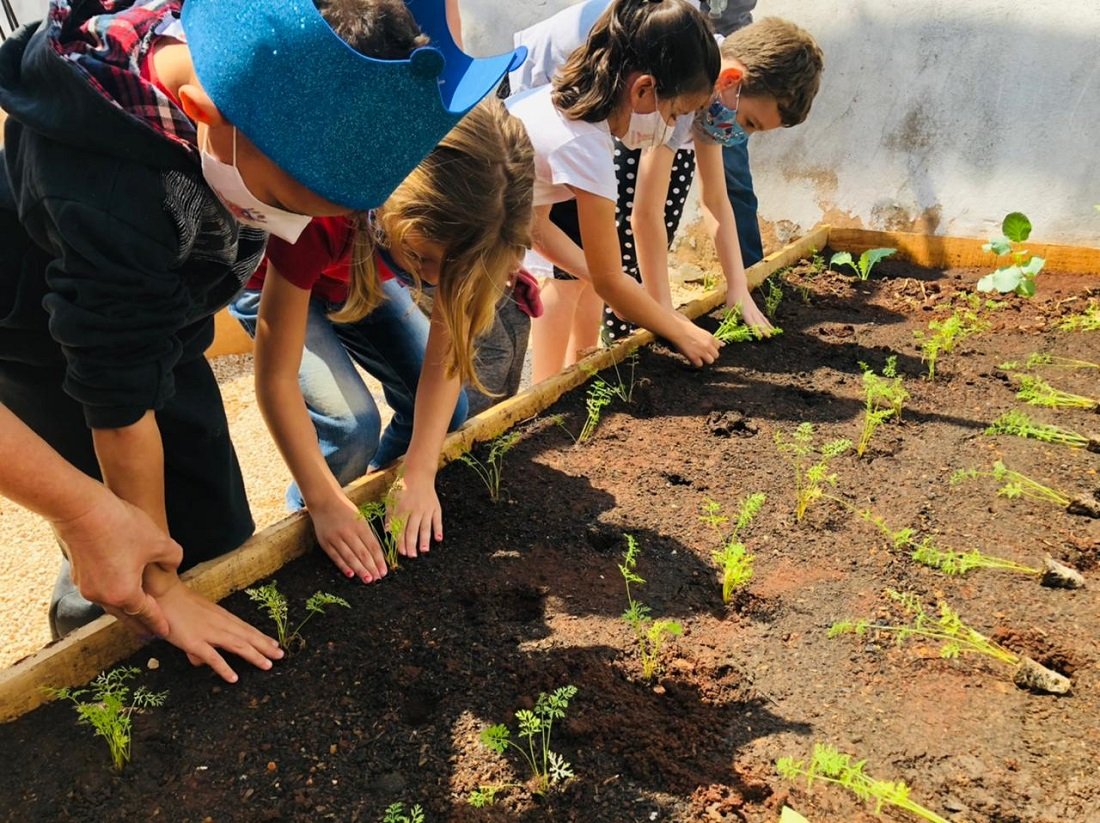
78,659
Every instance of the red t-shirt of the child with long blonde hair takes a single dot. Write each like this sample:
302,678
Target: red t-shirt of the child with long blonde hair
321,261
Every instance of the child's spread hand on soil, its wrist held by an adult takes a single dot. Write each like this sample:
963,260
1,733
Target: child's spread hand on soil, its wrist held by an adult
200,628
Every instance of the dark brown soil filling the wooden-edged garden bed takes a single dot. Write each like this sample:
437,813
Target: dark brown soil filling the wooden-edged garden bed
388,700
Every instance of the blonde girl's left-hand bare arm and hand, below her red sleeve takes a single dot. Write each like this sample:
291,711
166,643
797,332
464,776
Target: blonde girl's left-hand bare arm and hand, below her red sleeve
281,336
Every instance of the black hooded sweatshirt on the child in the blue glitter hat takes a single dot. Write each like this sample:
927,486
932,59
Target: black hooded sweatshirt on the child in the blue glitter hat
115,254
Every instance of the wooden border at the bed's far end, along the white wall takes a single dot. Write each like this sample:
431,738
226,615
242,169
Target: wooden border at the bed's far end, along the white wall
952,253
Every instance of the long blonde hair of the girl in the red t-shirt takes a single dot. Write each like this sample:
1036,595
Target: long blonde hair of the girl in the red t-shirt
472,195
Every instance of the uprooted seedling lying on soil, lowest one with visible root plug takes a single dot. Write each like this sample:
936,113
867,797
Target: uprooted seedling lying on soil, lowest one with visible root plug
956,639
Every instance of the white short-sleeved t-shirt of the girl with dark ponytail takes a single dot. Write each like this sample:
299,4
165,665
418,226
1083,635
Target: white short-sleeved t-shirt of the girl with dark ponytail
567,152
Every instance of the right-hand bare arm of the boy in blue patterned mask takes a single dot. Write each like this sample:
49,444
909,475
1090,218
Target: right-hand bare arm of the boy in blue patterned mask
720,217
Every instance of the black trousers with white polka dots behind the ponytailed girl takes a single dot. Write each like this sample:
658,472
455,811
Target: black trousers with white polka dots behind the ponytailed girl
626,170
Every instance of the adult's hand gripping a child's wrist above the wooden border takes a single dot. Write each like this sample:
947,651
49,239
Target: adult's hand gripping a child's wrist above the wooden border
109,546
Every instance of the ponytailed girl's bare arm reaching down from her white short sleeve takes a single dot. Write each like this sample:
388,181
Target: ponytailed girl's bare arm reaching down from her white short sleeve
628,298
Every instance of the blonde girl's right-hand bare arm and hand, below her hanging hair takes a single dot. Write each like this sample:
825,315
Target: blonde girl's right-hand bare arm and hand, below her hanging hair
416,502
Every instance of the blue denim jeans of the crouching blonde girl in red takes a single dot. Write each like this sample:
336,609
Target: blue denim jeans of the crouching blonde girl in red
389,344
